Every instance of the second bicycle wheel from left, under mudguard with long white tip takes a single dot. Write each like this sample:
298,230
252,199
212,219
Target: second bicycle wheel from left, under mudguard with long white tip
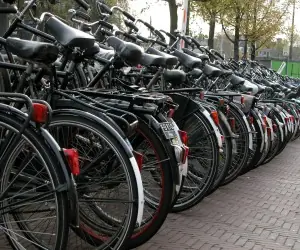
106,185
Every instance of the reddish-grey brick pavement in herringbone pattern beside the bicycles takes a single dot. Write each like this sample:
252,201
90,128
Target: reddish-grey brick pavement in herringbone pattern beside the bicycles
259,210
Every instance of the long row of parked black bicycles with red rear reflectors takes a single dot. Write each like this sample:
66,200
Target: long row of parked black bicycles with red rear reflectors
106,131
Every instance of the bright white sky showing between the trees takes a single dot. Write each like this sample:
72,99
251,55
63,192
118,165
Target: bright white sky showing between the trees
158,13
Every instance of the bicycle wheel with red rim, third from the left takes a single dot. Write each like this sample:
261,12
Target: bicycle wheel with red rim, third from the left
159,187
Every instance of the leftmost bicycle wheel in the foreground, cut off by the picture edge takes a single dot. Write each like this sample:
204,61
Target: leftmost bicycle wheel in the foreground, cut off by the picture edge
34,211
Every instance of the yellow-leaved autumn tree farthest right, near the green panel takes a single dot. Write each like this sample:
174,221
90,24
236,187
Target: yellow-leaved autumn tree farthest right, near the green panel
257,20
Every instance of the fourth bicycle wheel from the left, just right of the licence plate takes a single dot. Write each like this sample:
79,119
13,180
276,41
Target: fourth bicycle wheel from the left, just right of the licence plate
202,164
